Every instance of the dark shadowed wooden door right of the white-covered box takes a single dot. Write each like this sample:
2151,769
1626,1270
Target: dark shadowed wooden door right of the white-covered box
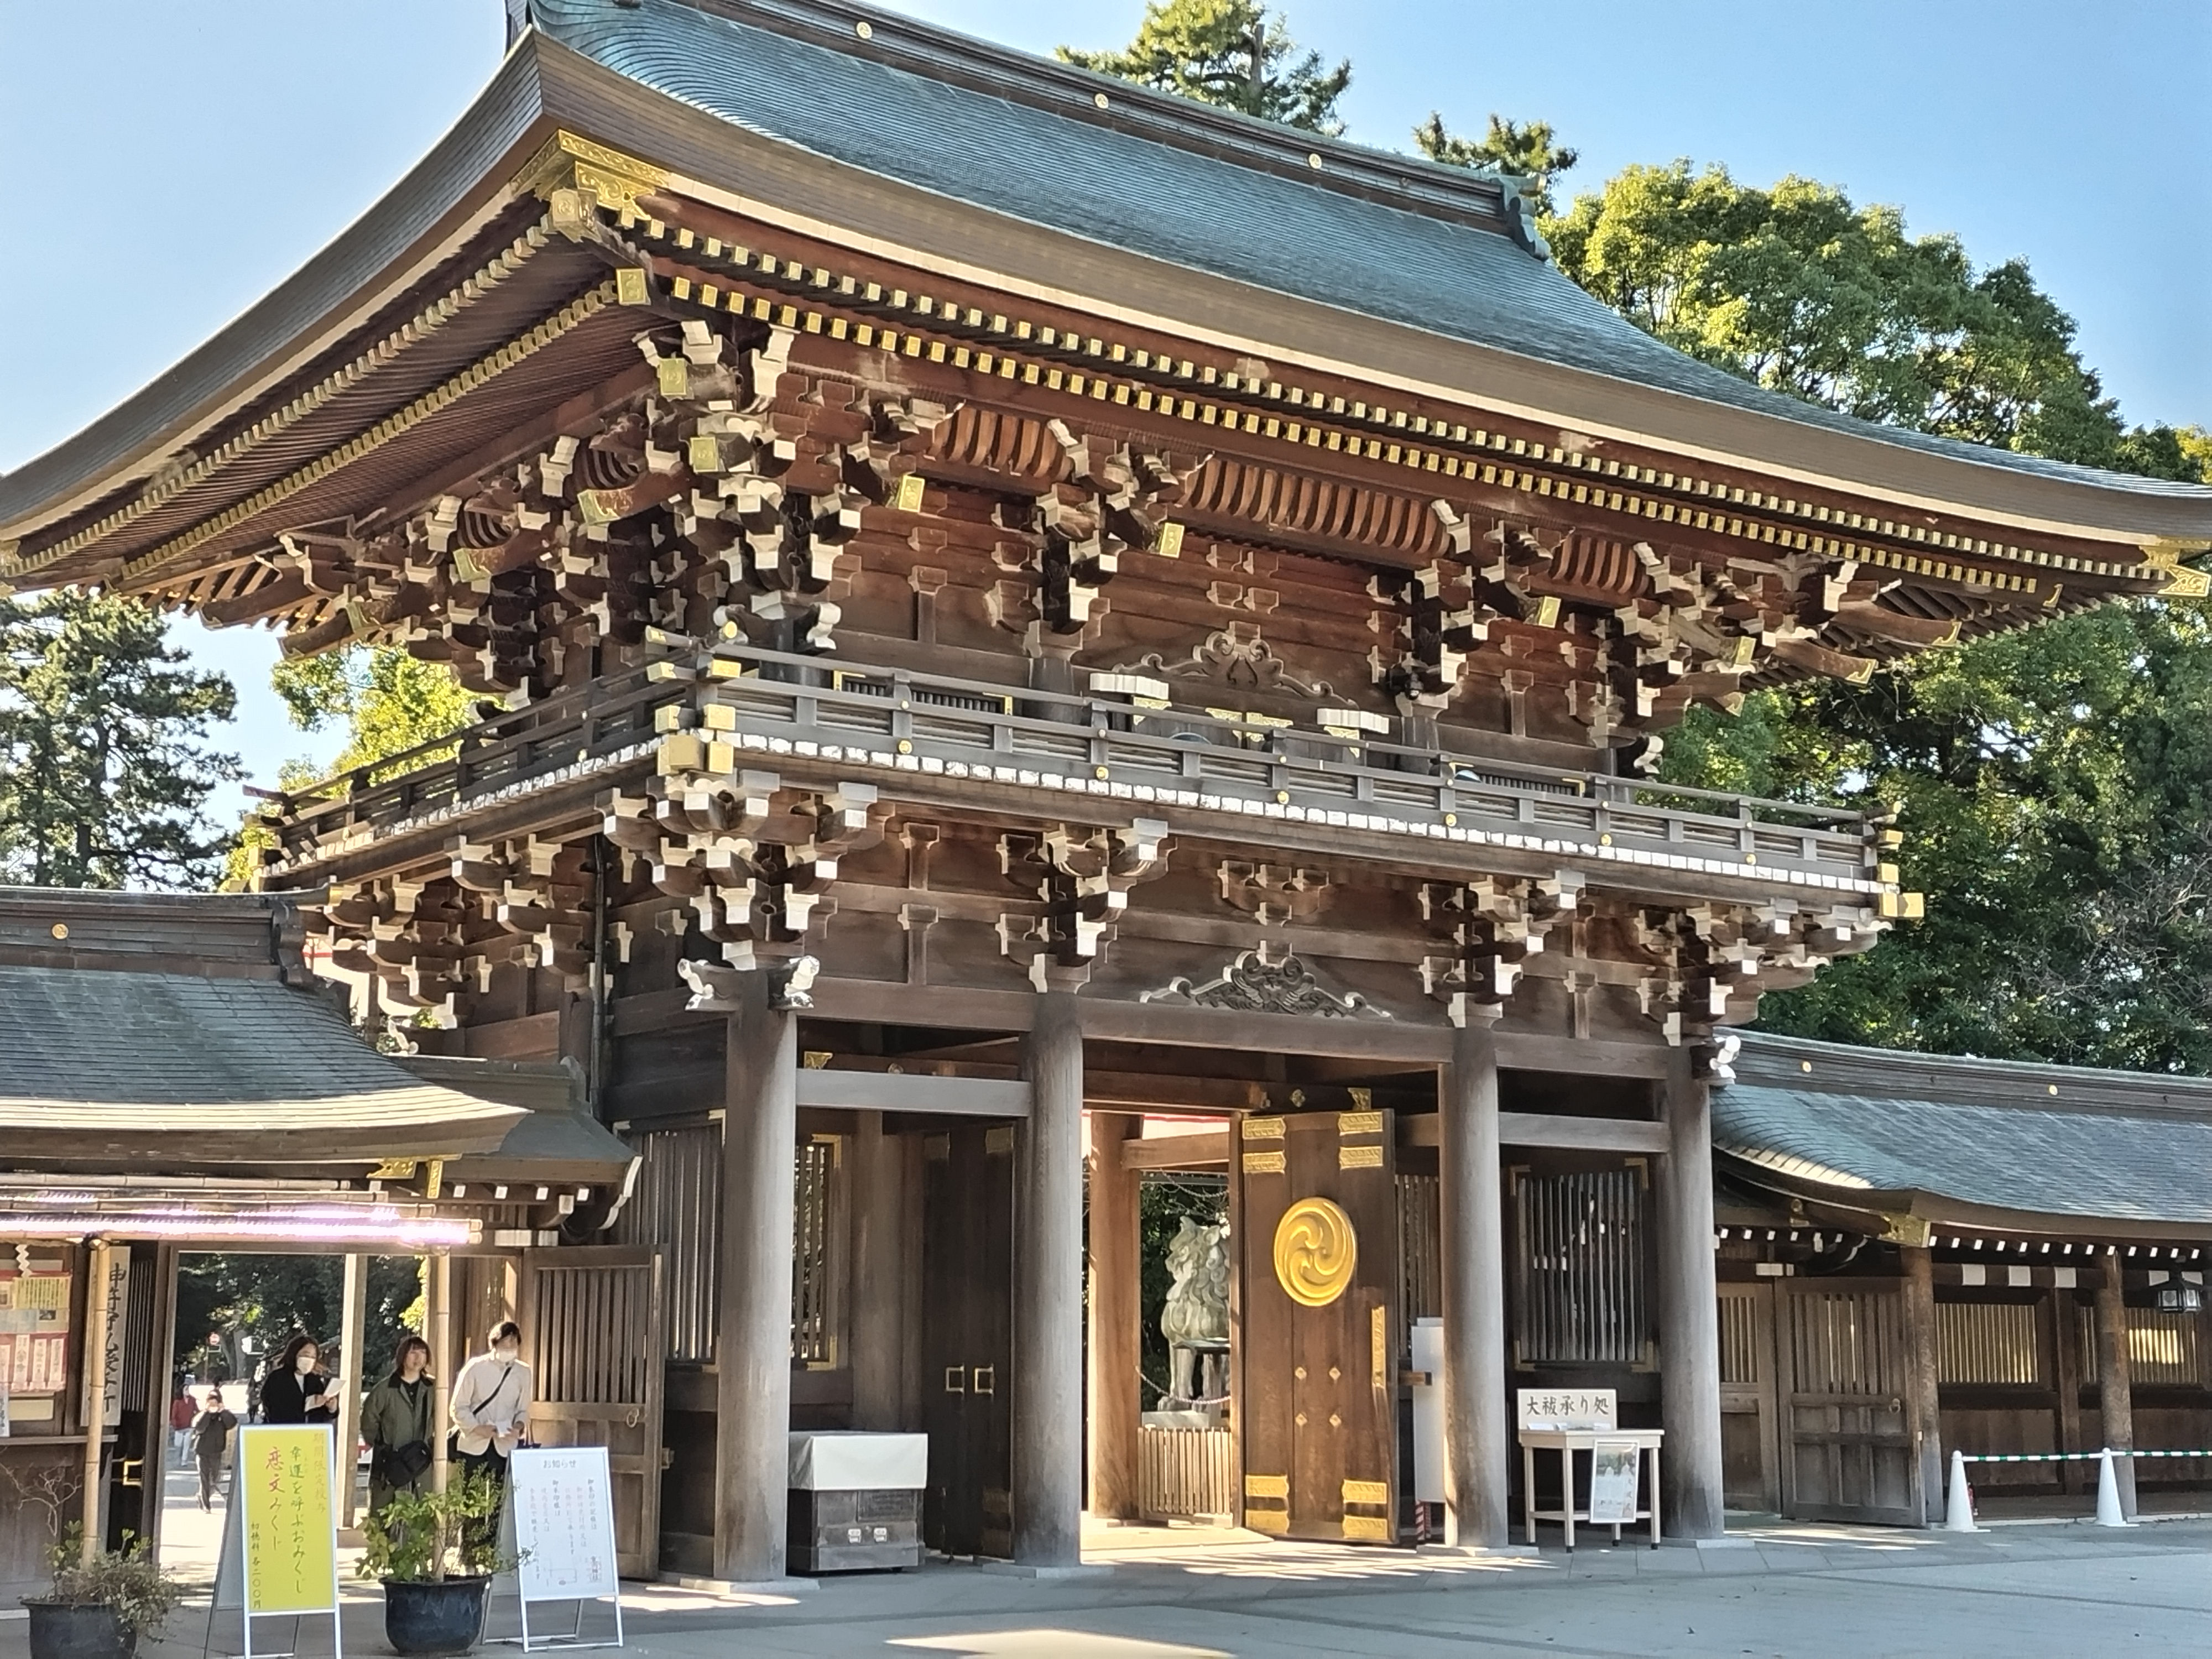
968,1339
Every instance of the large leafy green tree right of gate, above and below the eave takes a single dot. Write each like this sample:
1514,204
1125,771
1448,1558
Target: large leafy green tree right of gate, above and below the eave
2054,782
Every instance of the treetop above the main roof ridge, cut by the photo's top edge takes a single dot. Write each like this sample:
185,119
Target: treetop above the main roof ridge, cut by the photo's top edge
1233,54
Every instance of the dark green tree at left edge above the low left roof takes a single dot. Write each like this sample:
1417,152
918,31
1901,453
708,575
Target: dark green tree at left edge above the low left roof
105,755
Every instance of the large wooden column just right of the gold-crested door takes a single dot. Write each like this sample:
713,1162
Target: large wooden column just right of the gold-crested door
1474,1288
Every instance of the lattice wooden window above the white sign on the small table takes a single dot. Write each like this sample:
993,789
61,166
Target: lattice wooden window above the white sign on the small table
1583,1295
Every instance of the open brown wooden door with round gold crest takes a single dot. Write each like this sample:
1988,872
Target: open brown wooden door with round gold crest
1319,1326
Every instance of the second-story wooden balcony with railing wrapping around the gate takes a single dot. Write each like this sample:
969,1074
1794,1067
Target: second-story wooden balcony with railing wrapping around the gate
1116,753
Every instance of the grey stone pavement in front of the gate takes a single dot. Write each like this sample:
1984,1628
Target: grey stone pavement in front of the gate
1173,1594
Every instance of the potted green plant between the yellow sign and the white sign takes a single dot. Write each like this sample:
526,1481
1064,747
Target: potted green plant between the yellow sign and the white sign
437,1554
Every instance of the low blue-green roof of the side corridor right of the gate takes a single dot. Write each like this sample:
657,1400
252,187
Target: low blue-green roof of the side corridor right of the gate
2001,1136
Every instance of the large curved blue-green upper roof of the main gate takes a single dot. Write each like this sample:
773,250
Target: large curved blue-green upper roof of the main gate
928,123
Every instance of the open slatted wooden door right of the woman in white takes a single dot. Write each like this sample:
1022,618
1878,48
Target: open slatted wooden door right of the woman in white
592,1328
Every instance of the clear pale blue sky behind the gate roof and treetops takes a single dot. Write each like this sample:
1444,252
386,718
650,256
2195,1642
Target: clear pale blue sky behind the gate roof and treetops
174,160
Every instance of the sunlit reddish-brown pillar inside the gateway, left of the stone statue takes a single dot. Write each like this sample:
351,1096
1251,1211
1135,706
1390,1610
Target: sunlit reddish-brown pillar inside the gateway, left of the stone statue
1116,1317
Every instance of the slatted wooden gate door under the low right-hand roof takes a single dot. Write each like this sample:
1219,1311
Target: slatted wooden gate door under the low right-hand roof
1848,1419
